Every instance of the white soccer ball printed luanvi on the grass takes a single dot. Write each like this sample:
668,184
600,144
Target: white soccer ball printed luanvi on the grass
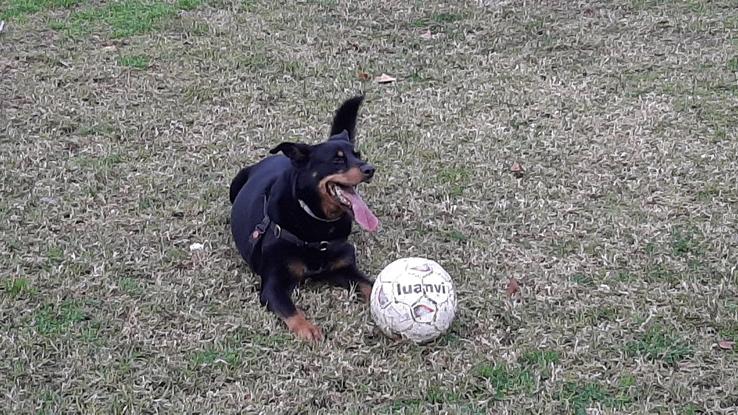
413,298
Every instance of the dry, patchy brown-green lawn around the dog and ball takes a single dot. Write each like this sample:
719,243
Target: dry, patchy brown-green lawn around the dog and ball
125,121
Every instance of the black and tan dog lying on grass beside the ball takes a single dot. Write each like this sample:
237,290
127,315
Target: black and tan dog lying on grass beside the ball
292,214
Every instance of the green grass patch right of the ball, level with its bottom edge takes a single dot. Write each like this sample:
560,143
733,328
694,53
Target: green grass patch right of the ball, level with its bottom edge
659,344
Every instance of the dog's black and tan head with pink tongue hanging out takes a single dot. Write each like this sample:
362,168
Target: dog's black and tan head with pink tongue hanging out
327,176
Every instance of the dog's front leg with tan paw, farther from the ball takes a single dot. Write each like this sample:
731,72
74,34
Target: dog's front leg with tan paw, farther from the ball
275,295
